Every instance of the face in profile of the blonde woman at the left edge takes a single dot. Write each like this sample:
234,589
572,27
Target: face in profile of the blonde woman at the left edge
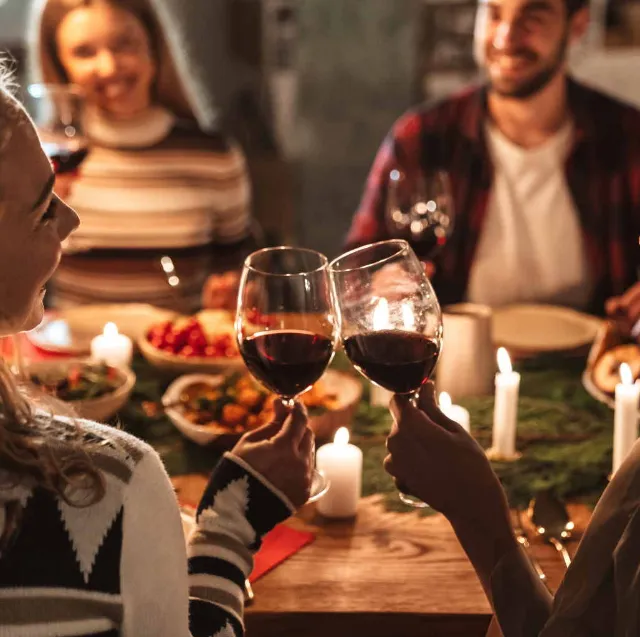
33,223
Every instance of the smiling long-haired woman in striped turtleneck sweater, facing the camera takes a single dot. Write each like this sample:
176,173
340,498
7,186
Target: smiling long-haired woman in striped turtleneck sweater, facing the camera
161,178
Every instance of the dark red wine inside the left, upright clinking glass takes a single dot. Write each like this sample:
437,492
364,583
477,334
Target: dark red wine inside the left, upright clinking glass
288,362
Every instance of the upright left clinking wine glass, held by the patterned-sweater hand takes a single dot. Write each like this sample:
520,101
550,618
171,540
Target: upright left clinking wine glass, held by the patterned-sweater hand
285,324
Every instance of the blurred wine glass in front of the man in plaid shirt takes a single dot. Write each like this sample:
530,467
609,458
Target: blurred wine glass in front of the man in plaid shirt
419,209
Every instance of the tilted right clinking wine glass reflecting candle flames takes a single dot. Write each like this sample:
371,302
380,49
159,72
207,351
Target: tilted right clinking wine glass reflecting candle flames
389,316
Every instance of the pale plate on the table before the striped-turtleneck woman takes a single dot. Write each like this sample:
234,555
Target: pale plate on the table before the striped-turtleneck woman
71,330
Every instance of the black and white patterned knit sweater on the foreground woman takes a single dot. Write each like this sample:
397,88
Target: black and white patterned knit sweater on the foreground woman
120,567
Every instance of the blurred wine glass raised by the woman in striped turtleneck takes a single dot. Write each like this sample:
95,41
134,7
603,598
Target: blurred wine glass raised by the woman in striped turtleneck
57,111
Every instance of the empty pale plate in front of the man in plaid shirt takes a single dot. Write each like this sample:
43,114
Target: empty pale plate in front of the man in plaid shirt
543,328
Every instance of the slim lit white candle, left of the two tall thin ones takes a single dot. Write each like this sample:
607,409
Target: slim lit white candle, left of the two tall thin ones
505,414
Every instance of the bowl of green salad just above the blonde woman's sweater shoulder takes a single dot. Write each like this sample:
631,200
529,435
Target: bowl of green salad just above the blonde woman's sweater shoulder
93,390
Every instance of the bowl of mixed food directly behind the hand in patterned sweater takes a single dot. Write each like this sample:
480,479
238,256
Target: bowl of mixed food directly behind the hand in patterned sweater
218,409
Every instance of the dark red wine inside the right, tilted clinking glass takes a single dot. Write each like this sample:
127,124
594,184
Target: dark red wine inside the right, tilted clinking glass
399,361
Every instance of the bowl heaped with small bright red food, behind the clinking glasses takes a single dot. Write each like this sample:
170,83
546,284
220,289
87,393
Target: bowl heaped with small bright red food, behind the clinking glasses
204,343
